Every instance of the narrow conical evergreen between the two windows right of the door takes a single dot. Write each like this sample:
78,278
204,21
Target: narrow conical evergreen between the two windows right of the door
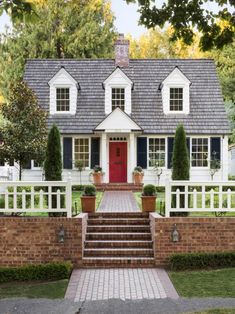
180,159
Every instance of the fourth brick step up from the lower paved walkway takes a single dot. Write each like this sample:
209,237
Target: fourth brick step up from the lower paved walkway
119,236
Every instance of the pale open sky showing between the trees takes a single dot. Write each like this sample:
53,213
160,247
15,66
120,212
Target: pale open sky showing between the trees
126,18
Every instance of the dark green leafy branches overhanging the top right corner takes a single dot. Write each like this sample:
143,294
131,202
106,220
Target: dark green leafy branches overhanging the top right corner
186,17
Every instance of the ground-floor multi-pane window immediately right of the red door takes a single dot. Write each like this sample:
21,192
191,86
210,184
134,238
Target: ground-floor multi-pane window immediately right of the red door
156,152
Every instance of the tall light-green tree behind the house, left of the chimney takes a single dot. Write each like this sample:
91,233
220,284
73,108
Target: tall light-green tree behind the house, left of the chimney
64,29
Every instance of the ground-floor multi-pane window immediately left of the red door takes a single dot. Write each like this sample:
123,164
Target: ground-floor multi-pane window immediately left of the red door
82,151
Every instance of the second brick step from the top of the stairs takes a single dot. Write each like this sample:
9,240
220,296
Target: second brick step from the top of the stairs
118,221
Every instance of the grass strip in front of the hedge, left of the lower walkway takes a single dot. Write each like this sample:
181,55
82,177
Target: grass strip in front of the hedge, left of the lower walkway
48,290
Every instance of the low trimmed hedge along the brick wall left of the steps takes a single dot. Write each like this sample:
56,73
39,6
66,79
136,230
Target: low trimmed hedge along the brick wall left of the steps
49,271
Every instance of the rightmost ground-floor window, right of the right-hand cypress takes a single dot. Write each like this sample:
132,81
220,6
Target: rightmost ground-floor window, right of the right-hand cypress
199,152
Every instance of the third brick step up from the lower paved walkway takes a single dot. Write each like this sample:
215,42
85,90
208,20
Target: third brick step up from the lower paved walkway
119,244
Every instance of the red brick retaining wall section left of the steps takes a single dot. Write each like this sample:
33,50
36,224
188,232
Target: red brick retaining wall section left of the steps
35,240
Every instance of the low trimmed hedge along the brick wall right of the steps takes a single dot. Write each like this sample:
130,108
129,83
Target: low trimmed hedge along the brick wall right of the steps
190,261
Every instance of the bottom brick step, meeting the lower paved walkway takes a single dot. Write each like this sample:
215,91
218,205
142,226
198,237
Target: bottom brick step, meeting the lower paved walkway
113,262
